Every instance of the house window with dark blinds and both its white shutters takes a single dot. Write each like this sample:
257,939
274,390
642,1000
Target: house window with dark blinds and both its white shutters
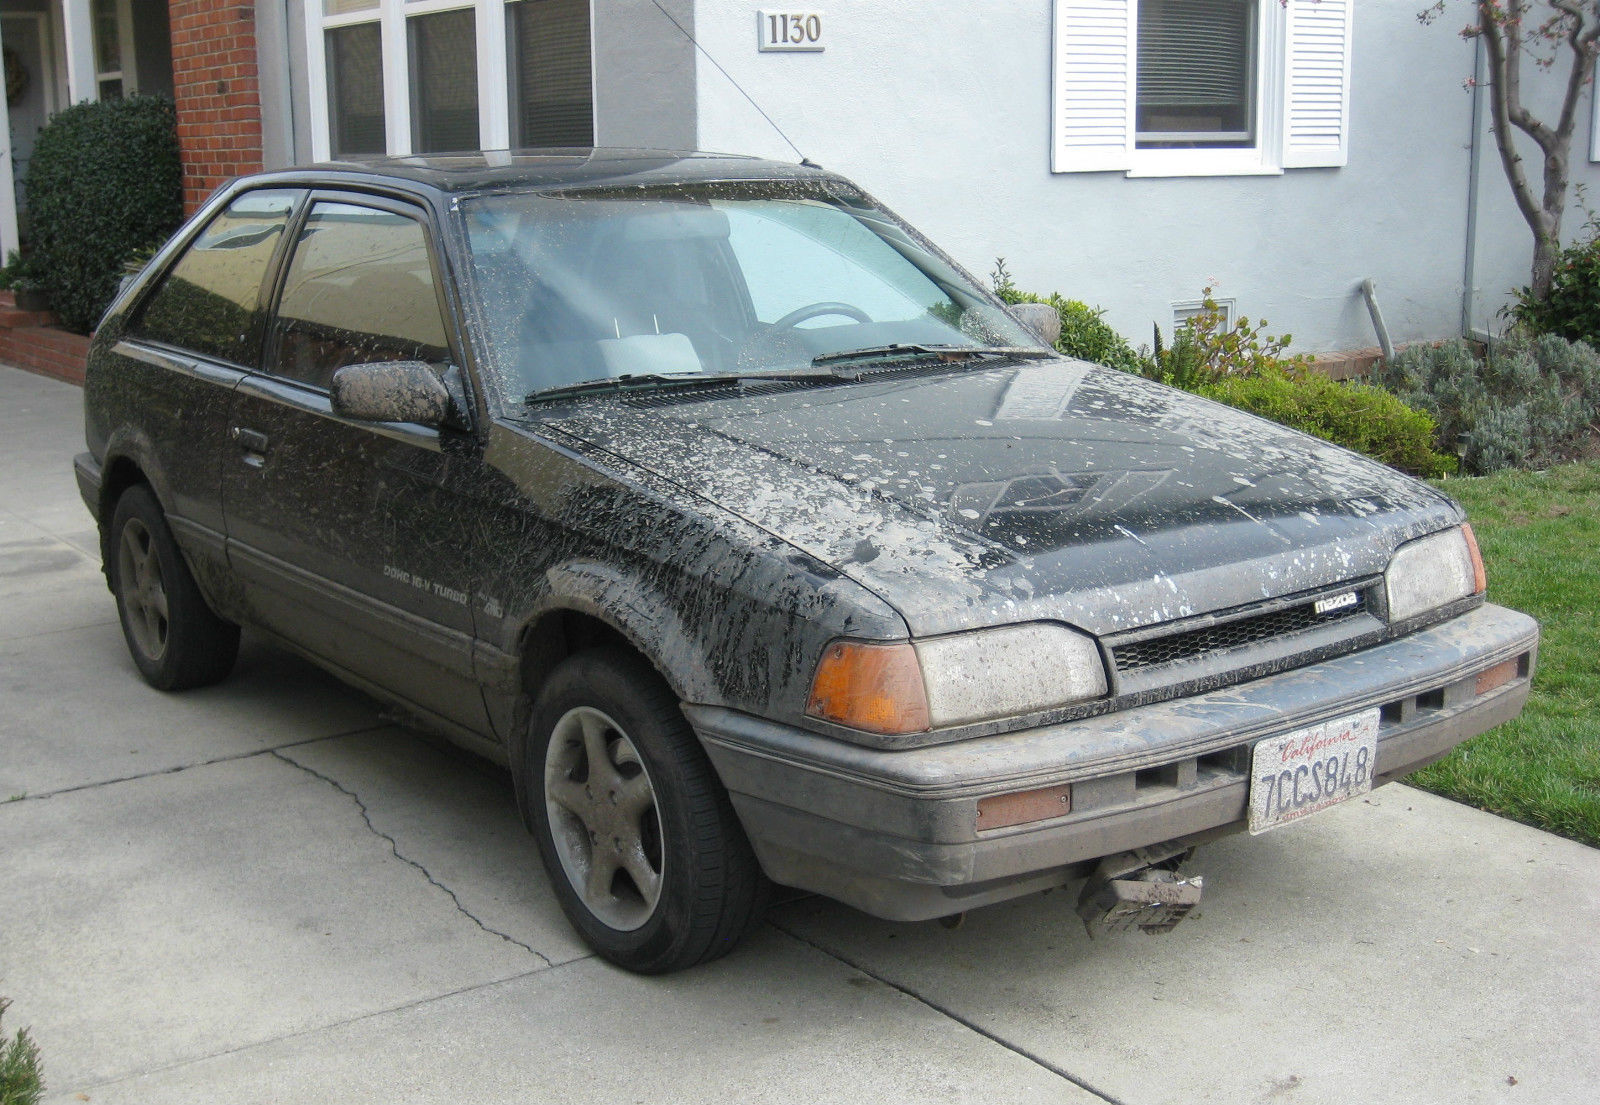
1201,87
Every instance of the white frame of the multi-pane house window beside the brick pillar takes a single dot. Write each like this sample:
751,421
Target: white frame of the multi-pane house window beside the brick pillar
495,89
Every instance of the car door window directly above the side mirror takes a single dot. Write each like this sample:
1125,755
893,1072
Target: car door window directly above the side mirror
359,290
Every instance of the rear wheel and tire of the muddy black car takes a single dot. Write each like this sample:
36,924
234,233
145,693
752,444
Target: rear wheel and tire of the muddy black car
174,637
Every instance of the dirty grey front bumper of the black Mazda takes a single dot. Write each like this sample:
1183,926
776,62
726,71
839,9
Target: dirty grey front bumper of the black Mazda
897,834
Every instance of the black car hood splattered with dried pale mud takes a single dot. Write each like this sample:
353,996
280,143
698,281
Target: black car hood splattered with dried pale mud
1049,490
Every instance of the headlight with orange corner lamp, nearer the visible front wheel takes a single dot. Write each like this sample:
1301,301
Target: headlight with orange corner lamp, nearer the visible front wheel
954,680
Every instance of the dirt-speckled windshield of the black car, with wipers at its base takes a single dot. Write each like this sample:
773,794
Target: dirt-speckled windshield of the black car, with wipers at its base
711,281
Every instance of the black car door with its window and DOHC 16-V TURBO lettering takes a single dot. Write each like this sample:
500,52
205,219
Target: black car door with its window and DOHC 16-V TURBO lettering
353,537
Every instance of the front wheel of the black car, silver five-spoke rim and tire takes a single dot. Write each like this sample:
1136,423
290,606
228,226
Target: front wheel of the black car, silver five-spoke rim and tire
634,828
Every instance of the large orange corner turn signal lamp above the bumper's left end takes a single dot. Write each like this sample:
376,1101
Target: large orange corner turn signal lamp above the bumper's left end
876,688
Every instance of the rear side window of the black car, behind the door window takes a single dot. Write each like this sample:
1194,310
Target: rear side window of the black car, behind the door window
210,301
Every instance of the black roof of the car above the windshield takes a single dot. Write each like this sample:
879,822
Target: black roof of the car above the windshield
548,169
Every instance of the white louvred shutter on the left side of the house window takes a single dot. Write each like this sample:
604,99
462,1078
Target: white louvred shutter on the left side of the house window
1094,78
